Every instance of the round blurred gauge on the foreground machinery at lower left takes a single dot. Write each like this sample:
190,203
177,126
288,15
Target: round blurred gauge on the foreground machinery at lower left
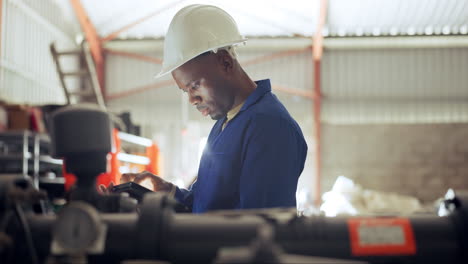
78,230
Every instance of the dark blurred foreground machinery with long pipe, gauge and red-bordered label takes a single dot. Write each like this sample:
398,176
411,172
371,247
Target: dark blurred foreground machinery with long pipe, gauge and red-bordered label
93,228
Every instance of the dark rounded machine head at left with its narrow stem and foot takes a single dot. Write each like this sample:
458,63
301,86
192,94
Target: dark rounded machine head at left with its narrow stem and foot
81,135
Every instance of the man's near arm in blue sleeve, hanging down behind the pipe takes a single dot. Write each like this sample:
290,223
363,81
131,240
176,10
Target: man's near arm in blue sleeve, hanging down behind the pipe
273,158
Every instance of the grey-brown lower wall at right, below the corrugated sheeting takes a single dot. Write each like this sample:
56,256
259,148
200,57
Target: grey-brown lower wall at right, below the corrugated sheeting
423,160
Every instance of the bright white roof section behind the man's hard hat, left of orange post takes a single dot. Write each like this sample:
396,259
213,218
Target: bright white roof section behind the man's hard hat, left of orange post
261,17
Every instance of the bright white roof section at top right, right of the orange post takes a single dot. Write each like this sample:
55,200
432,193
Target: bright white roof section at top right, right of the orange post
397,17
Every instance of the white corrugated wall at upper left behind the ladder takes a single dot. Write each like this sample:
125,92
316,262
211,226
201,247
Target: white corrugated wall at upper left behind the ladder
27,72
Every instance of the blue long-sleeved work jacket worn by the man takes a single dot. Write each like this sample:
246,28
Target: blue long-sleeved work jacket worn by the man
255,162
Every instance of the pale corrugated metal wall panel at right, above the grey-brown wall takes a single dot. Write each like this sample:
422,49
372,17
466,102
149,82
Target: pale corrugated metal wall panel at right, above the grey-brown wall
399,85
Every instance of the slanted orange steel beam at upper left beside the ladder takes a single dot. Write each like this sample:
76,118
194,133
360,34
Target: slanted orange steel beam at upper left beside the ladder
92,38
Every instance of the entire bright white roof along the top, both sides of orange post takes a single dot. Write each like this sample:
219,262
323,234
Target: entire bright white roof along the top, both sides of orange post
293,17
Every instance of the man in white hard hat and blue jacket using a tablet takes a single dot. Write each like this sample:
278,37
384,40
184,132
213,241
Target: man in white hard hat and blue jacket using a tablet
255,152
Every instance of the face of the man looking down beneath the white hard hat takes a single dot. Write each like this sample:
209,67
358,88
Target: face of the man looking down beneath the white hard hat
204,81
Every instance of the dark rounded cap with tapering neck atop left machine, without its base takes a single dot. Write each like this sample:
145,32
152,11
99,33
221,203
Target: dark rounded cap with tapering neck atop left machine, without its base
81,135
